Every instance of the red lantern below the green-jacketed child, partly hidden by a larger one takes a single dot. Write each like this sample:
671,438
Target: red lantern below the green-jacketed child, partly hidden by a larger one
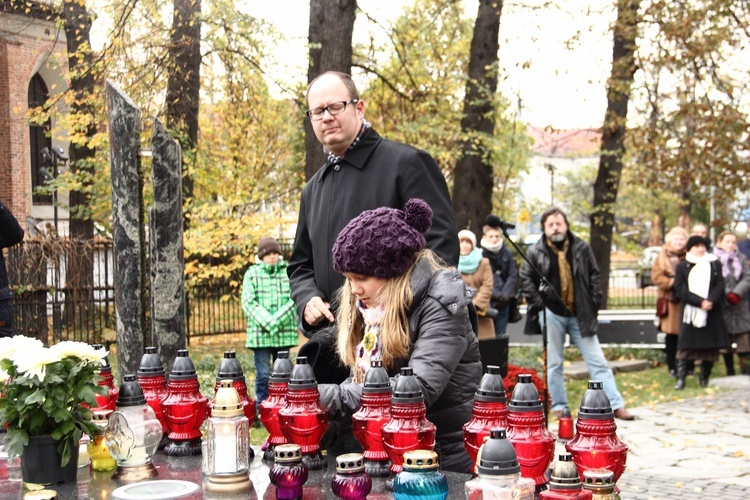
276,400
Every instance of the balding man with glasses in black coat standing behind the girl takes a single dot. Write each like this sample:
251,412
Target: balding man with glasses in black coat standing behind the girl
362,172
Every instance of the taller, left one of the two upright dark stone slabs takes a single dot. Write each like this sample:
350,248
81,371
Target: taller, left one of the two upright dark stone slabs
128,232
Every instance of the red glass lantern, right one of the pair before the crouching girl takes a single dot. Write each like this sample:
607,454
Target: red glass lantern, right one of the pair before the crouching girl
408,429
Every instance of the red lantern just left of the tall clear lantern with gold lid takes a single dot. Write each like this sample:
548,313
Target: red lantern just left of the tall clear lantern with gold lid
185,408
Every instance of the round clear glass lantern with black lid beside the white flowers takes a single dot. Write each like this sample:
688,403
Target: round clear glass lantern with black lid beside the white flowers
132,433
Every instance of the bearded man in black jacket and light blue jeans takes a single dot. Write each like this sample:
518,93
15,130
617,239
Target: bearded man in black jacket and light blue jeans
571,305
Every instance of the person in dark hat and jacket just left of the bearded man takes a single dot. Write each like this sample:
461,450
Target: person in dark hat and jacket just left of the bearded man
504,272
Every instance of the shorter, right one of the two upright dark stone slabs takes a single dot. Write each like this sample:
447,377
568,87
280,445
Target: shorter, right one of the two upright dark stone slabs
167,261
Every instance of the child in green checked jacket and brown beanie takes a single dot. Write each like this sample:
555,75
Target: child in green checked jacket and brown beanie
270,311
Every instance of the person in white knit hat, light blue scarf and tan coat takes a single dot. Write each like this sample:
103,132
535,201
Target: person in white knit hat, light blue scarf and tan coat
477,274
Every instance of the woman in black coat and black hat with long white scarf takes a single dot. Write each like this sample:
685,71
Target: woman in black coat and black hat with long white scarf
699,284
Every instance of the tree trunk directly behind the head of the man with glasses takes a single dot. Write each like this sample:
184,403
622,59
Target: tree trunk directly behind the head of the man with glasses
330,41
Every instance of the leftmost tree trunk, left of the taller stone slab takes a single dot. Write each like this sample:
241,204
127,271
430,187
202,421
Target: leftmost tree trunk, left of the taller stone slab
80,278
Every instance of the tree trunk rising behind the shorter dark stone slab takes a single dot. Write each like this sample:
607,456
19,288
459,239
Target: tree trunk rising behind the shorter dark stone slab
183,87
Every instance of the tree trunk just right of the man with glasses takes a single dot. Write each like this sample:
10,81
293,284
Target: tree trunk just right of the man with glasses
473,180
